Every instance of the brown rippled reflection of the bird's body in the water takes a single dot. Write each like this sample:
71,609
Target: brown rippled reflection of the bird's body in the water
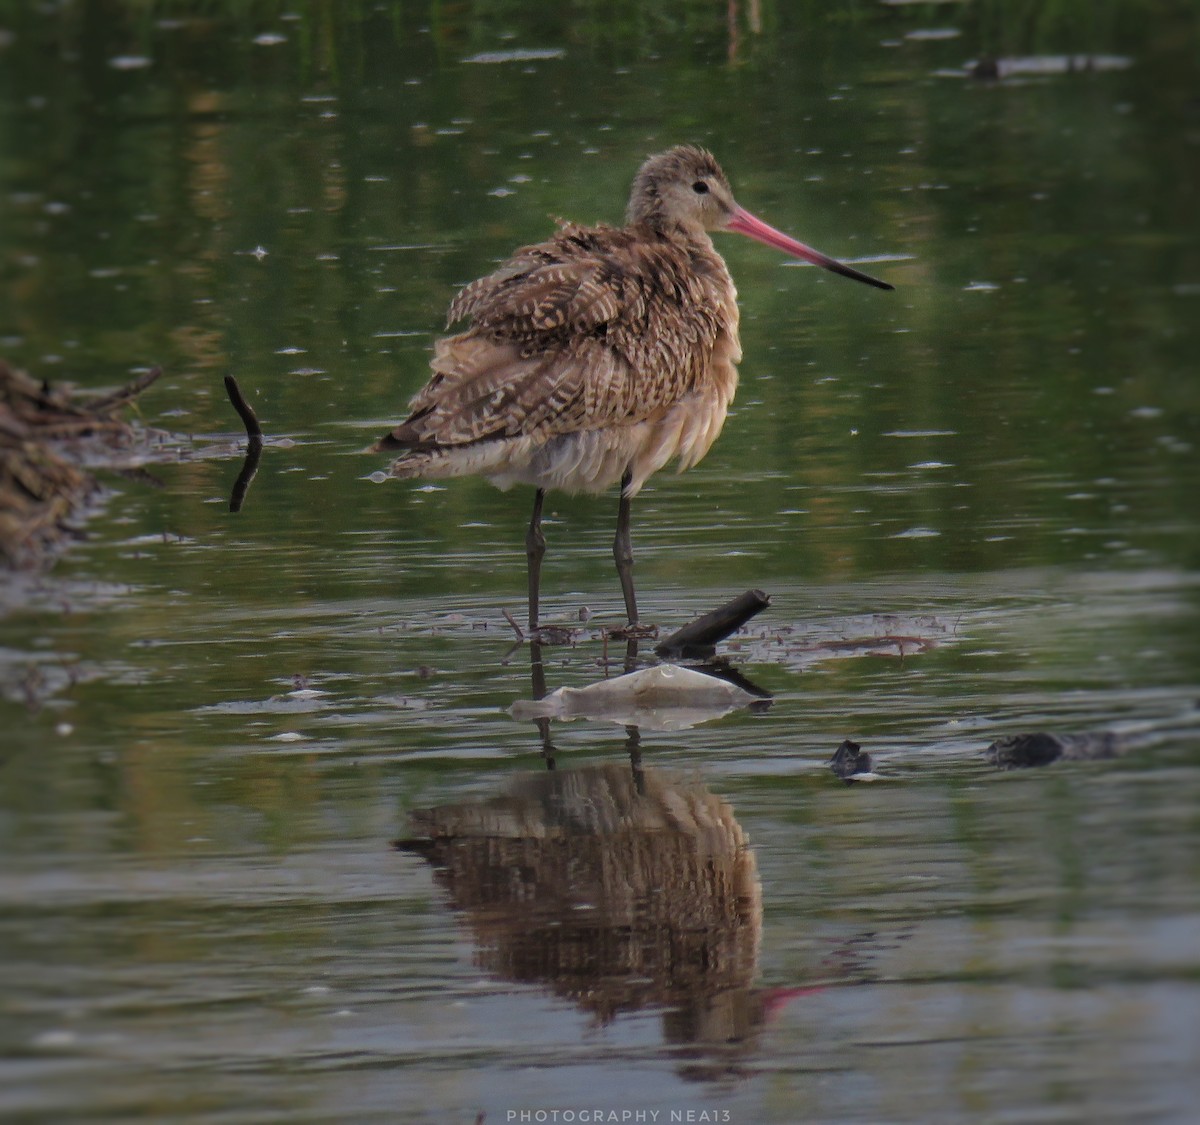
617,889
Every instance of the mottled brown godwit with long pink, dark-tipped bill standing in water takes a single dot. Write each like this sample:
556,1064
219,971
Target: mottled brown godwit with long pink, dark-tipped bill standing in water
596,357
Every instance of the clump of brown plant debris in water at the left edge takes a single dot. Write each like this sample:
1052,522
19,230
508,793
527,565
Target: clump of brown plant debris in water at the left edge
50,440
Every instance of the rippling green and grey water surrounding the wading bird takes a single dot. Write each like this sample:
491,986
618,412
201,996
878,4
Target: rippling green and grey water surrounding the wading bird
215,725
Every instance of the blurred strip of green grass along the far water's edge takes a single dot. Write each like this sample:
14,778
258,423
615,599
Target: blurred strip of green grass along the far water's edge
332,35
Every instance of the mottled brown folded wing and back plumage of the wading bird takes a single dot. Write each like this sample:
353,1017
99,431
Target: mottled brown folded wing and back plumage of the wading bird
565,338
